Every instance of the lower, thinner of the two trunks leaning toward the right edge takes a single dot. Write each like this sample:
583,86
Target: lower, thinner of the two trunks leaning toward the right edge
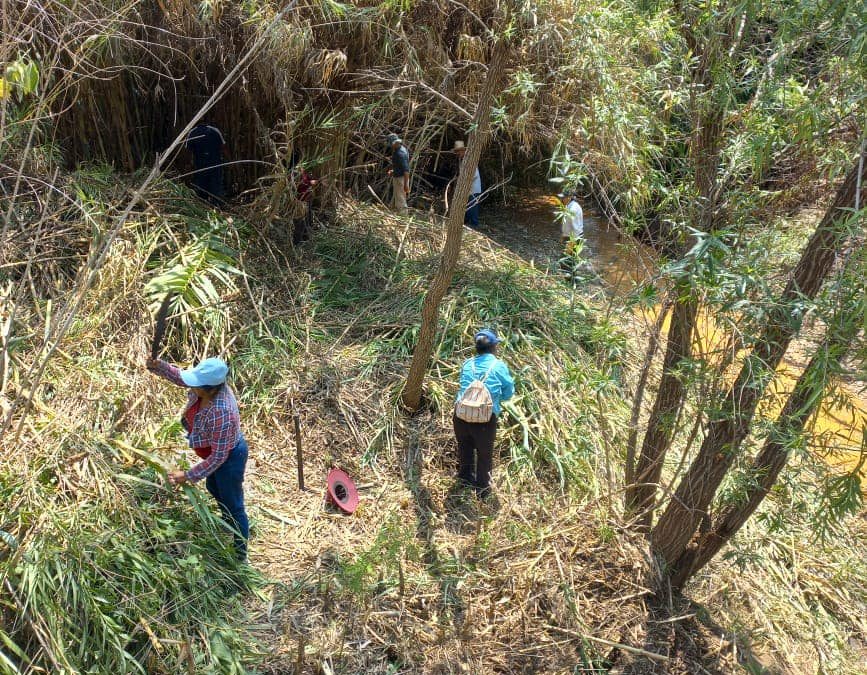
800,406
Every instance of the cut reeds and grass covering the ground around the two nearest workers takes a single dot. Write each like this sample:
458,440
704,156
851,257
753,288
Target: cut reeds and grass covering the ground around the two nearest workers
112,570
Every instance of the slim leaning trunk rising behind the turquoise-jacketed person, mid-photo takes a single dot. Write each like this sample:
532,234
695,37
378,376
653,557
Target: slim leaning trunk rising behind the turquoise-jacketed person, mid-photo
481,125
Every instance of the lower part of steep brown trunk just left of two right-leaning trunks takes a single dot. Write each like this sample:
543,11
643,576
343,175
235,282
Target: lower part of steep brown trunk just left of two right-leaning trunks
640,495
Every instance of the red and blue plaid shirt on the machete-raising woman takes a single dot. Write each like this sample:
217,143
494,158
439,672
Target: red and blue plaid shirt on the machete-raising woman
217,426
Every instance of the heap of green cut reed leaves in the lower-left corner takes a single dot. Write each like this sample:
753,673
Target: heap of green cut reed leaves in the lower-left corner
108,558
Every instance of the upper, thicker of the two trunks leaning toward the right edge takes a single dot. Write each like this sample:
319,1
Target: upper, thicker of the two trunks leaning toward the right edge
696,490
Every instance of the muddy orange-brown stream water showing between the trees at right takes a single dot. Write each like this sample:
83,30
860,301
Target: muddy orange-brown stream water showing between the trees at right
529,229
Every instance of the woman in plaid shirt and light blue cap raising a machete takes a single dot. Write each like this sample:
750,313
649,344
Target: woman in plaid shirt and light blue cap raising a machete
213,426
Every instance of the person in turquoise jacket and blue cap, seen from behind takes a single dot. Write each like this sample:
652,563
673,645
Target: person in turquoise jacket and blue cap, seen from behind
476,439
